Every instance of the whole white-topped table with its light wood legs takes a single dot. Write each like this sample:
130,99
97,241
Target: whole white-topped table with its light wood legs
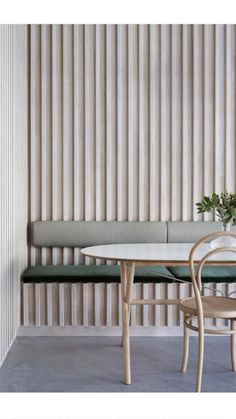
129,255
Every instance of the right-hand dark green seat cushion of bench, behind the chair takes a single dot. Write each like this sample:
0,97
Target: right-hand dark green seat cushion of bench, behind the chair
209,273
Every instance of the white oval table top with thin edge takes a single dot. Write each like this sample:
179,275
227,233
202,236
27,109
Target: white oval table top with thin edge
151,252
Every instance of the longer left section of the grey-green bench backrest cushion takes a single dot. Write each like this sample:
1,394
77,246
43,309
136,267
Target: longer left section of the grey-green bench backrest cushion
91,233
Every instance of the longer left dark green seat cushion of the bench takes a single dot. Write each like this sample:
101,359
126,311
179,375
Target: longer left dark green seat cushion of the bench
94,273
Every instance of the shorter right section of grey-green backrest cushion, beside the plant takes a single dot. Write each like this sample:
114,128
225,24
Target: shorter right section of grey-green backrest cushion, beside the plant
190,231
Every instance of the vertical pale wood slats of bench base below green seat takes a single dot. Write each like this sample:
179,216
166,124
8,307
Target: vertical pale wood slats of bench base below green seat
111,313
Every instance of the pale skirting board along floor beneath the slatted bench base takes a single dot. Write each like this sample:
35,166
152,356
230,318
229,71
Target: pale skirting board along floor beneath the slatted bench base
100,331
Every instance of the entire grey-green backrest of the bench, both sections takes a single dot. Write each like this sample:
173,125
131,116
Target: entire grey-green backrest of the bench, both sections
91,233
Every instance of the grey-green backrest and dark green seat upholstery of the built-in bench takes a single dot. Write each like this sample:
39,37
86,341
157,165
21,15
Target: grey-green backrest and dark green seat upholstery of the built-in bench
91,233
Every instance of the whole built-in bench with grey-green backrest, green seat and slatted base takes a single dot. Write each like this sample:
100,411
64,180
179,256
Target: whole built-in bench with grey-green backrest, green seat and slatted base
87,294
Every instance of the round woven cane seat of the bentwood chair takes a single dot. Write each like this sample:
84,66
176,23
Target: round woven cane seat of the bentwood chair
213,307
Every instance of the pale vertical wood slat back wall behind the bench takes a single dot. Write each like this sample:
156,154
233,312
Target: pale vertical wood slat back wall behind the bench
129,122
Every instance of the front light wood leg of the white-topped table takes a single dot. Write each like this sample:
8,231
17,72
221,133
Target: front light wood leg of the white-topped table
126,285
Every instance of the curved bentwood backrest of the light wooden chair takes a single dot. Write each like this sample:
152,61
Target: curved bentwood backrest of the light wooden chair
196,264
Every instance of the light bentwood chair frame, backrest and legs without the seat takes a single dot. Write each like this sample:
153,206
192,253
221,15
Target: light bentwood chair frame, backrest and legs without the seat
188,317
